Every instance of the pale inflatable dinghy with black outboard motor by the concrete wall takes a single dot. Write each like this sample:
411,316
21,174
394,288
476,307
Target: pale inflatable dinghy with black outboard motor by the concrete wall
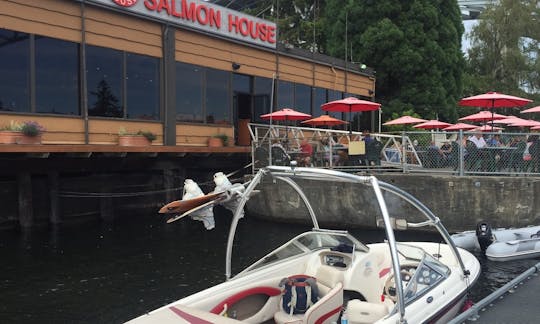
501,244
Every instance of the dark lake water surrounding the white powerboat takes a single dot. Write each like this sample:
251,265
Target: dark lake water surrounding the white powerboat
111,272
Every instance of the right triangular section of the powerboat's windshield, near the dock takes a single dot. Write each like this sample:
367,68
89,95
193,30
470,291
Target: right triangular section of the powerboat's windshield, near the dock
419,271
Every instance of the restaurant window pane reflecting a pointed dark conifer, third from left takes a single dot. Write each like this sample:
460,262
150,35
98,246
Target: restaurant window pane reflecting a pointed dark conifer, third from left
104,70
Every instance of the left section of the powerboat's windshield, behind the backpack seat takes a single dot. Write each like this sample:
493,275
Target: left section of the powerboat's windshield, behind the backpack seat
308,242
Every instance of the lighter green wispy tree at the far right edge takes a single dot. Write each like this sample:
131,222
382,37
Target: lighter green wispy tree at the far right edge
505,52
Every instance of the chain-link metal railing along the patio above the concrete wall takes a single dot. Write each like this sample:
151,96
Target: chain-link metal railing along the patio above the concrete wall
423,152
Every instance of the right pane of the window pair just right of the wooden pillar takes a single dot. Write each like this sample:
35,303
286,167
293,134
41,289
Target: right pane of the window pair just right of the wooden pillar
218,108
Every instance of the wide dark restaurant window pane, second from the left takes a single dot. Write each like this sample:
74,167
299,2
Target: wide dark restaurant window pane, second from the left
57,76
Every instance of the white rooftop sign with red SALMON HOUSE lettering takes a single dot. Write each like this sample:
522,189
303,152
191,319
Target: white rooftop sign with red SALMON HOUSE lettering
200,15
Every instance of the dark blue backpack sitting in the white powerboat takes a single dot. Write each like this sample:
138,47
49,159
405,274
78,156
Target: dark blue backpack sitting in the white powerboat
299,293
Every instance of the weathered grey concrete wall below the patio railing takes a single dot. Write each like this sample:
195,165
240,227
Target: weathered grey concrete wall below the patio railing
460,202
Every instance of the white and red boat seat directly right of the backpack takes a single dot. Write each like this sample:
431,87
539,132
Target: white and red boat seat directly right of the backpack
327,308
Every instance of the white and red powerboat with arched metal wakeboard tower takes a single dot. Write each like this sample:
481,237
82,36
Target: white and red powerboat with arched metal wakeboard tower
322,276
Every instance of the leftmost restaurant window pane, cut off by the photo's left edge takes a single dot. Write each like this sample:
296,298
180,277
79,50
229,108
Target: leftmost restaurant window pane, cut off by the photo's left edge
14,71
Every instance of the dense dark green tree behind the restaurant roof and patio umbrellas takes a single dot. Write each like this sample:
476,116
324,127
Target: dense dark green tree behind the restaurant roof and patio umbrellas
414,46
